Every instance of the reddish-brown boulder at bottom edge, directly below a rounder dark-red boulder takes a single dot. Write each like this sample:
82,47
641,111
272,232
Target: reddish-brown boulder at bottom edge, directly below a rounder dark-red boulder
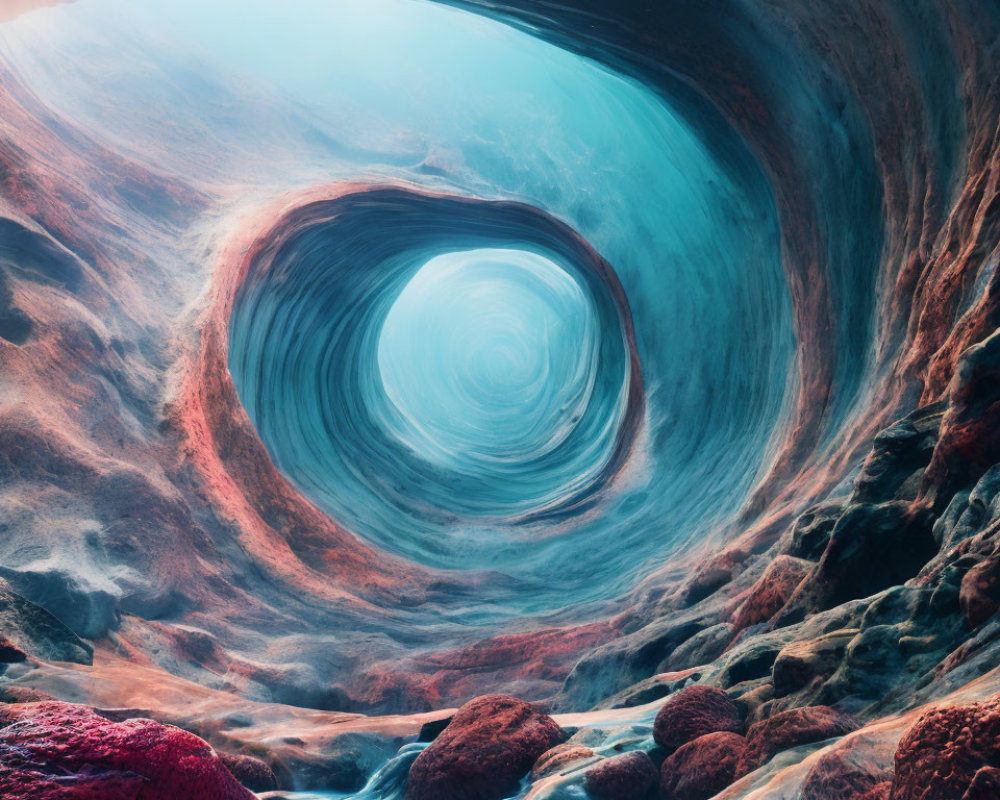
701,769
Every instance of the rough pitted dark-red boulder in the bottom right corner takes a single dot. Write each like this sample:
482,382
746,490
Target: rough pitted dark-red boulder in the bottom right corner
940,757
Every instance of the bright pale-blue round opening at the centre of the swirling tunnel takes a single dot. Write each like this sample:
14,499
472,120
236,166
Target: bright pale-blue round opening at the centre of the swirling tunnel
490,356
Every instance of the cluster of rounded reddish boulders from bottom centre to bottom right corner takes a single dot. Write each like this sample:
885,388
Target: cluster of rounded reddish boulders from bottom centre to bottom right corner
702,744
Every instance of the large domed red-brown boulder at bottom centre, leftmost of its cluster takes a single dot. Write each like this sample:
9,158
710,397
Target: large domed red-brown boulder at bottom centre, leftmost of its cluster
482,755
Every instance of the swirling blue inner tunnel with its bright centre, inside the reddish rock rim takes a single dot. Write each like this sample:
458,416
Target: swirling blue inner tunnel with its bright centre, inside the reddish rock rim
521,406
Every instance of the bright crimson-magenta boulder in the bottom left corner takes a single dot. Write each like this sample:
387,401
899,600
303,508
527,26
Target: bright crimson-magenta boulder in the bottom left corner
55,751
